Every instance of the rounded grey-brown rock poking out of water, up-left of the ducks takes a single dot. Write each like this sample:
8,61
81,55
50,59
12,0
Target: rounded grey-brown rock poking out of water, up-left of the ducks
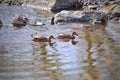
20,21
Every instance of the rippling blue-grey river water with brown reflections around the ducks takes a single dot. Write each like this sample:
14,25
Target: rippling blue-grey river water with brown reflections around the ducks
94,56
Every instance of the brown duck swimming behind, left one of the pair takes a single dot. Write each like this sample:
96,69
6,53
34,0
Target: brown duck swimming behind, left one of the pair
42,39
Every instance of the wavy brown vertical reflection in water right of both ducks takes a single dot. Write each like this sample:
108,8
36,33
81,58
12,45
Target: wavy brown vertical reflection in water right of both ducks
91,70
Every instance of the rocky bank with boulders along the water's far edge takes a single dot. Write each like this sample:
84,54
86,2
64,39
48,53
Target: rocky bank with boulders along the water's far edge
76,10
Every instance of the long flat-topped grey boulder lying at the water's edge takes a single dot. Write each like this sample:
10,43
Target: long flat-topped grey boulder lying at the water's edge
80,16
